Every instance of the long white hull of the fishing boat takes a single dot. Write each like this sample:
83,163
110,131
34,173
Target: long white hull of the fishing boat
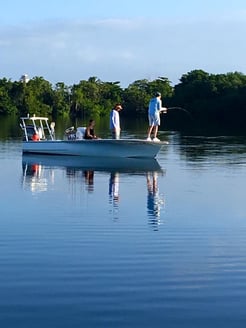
122,148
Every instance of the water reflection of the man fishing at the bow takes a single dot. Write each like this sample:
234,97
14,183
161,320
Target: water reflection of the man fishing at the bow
154,201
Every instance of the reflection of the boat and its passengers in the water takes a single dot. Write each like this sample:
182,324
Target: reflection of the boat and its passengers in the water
39,174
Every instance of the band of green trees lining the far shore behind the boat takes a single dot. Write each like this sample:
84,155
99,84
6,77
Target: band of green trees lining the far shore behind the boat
208,100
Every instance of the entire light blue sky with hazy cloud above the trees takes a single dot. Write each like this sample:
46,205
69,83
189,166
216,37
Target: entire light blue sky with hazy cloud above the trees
115,40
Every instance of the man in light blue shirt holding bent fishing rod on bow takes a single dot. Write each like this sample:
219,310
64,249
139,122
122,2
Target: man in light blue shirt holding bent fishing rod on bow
155,108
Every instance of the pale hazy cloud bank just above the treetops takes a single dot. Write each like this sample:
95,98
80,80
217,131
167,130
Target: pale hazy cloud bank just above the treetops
121,50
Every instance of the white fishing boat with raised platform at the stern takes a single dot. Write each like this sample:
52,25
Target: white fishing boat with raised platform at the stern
39,138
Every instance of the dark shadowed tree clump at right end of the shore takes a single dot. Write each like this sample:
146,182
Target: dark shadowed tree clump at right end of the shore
215,99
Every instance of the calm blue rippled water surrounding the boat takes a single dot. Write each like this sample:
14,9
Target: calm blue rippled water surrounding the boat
134,245
